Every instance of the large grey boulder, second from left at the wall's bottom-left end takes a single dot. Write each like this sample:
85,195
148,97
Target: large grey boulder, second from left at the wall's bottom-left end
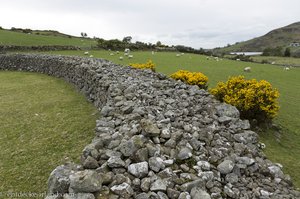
86,181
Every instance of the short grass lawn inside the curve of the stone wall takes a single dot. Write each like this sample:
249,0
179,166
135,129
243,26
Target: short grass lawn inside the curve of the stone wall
43,122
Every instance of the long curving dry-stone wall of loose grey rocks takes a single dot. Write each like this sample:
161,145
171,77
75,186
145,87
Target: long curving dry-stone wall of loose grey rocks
156,138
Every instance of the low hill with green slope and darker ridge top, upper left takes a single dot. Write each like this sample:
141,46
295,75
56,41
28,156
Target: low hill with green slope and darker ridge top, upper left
27,37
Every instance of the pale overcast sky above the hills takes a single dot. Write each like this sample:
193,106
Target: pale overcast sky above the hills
196,23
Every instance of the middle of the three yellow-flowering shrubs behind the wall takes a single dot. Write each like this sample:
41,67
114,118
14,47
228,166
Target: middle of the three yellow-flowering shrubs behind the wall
192,78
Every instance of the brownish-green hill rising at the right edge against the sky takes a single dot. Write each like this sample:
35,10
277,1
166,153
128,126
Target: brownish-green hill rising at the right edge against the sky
281,37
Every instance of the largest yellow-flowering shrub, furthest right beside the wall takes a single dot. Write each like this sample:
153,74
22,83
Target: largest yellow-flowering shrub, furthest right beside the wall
254,99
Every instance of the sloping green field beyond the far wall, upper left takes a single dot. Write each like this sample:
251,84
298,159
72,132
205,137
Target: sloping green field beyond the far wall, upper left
23,39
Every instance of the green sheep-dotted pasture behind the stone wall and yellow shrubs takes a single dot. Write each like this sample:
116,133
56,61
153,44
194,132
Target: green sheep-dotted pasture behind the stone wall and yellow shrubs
287,151
